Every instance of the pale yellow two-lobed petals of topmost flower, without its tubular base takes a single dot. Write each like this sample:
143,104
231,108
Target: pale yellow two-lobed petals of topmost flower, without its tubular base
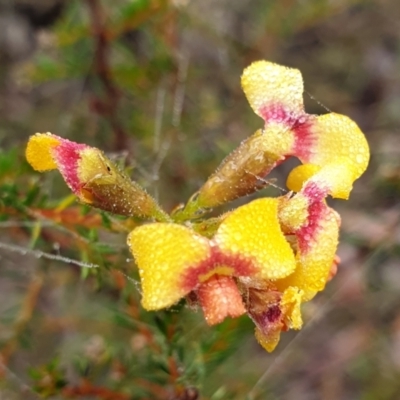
334,141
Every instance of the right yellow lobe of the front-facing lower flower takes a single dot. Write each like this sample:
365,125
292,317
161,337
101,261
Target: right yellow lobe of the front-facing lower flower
253,231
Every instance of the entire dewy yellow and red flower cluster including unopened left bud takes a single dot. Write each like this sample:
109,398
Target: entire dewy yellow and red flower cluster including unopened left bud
264,258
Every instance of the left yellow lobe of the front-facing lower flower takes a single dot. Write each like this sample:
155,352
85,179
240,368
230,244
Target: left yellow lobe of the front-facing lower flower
163,252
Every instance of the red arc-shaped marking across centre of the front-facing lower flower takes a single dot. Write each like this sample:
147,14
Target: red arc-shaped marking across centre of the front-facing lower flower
241,266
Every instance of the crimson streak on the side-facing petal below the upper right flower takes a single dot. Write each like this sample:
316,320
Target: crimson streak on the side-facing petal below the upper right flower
316,209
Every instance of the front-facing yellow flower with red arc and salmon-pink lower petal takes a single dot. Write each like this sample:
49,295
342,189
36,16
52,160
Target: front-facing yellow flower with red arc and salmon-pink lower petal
248,247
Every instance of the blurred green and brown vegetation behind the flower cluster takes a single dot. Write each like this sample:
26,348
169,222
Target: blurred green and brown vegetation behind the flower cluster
156,84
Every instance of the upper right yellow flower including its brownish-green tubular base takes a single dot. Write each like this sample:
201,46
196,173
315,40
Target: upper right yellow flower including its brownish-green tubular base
334,141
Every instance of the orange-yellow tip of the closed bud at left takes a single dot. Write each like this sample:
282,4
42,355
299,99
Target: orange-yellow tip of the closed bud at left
38,152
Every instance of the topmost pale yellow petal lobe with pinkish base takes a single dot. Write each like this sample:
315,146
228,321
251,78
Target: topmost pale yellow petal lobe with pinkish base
271,87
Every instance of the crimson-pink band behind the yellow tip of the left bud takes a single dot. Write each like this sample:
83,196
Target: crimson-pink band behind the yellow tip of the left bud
67,156
